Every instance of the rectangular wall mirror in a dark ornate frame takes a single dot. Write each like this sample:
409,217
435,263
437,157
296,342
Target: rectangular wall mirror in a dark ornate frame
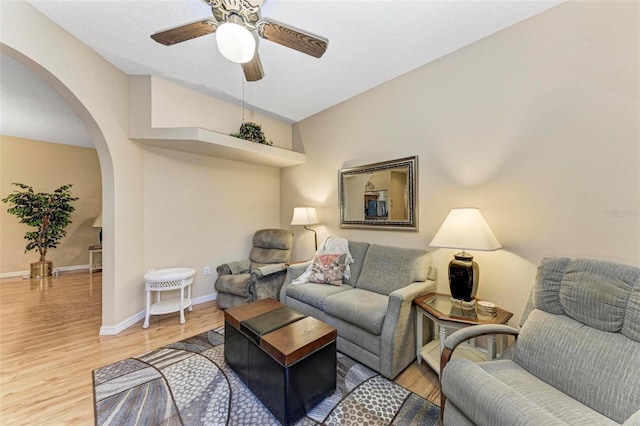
381,195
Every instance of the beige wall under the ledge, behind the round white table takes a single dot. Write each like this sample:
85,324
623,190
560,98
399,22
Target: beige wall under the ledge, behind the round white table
202,211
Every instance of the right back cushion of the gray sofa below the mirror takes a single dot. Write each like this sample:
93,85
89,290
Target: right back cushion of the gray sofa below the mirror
386,269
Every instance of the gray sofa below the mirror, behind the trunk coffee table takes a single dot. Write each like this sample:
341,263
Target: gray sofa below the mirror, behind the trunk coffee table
373,310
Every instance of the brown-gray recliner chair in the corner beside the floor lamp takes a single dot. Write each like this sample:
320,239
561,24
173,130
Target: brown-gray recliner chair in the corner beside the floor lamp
259,277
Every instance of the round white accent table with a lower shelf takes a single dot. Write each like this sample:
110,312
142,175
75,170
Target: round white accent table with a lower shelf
167,280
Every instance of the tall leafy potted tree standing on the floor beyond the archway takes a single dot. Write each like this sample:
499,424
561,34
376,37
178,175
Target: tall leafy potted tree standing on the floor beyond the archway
49,213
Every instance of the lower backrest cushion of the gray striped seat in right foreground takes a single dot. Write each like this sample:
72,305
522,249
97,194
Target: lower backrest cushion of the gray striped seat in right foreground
598,368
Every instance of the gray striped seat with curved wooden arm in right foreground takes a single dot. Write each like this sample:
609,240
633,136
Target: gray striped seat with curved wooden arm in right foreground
576,360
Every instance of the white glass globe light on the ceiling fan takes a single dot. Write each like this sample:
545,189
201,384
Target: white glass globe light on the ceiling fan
236,43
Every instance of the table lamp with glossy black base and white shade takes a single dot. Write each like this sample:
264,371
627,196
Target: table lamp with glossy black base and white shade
466,229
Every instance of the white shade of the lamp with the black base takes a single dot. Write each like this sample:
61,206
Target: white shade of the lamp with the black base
465,228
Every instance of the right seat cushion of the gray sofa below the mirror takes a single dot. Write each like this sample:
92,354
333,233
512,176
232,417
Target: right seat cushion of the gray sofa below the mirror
362,308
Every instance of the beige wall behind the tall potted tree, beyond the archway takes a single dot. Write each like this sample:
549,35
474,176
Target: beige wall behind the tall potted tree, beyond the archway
47,166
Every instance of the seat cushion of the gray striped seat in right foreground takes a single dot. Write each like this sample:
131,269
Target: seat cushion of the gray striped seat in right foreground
503,393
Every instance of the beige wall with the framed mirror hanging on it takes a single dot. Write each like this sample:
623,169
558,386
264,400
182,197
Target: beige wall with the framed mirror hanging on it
538,126
